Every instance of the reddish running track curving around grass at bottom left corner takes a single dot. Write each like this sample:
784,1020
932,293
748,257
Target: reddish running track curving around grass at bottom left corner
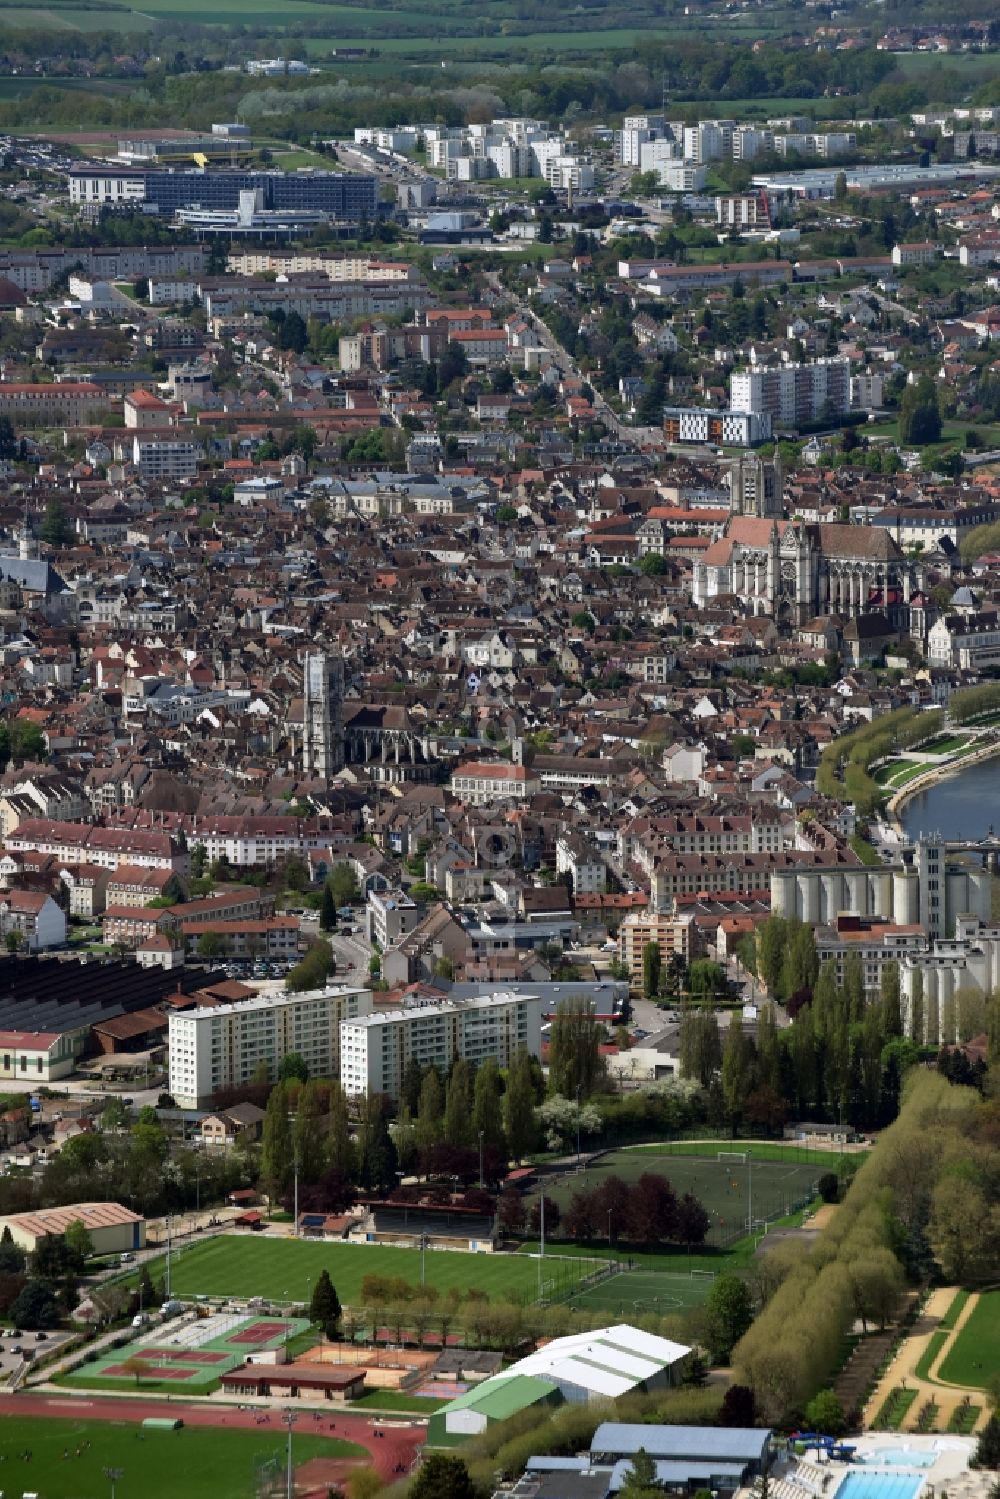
400,1444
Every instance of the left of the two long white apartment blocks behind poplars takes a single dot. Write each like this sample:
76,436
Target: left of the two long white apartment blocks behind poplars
221,1047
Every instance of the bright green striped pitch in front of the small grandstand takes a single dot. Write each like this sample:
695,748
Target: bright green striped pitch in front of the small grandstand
286,1270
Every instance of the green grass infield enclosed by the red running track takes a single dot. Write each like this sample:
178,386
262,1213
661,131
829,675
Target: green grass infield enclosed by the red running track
199,1462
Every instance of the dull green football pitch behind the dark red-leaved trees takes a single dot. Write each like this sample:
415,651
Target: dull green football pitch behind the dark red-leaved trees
732,1189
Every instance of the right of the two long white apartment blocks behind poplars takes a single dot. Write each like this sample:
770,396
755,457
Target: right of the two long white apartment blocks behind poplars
376,1049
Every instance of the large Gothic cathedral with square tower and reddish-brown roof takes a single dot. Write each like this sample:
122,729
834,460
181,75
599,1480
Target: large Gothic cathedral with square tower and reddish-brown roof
795,572
